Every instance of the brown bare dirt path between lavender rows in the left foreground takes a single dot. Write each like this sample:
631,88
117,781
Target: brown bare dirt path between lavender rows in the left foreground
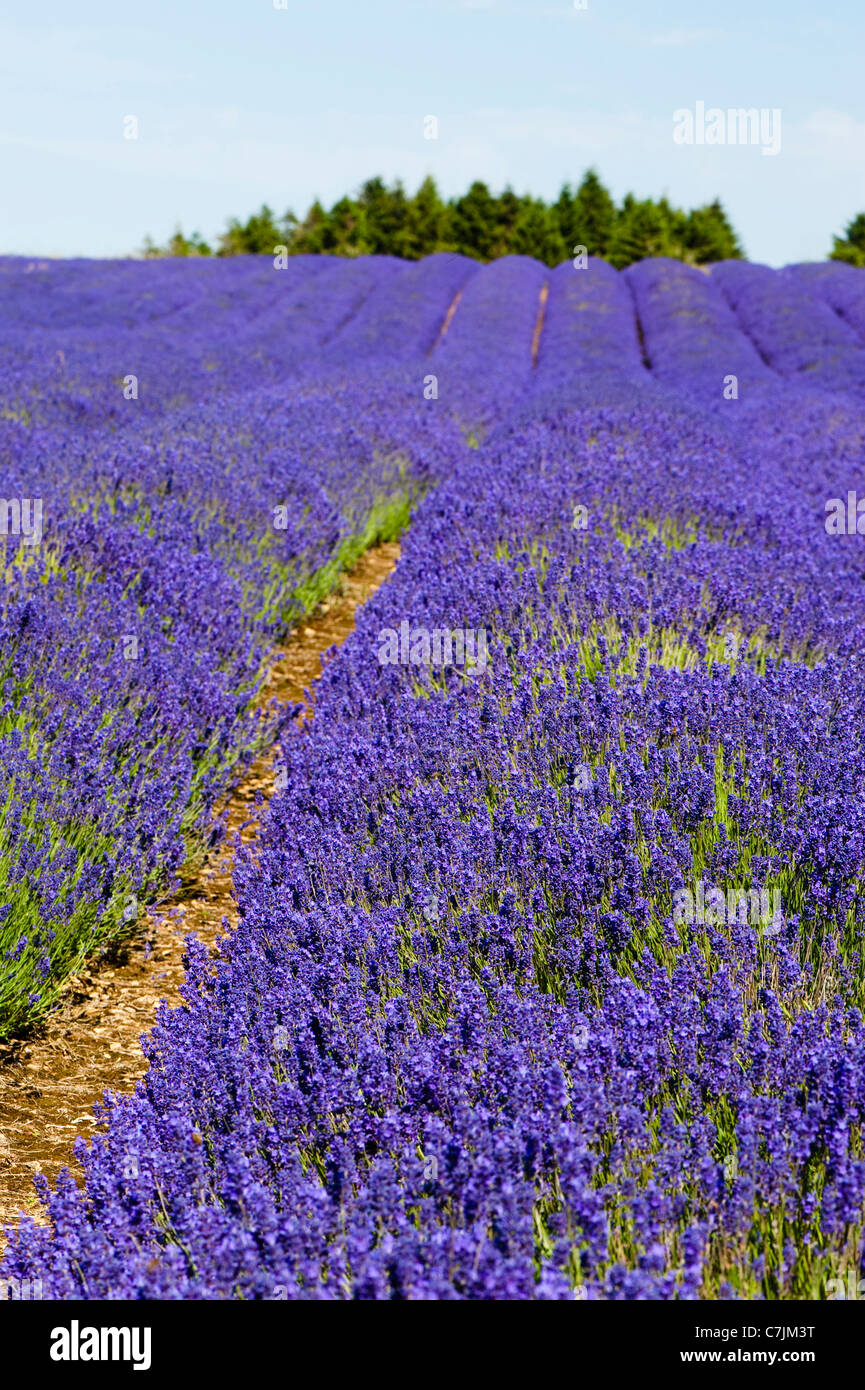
51,1082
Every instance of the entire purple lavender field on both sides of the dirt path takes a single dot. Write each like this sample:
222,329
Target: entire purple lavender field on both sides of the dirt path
549,979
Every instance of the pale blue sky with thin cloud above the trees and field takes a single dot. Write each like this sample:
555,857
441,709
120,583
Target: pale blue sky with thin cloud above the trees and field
240,104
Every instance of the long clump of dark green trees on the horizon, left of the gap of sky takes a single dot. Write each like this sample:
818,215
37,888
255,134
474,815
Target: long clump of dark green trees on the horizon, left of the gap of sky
387,222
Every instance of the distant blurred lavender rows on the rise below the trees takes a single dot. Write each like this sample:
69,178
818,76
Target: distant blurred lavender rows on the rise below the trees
70,333
